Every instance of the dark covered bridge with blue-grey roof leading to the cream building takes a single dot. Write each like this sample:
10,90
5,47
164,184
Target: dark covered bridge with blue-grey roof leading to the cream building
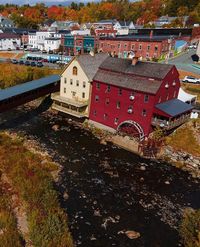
23,93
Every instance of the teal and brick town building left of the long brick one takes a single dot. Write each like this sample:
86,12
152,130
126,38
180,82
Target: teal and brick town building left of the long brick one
79,44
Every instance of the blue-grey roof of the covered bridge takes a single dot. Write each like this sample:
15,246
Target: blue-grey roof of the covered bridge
28,86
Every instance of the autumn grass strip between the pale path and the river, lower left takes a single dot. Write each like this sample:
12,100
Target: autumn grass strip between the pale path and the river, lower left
32,180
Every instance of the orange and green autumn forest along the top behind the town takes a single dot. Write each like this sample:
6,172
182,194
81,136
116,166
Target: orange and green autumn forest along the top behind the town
140,12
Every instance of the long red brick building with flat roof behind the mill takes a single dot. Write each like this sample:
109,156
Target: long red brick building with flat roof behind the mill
145,47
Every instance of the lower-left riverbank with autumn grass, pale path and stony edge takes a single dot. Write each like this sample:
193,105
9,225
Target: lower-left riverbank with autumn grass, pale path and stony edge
29,178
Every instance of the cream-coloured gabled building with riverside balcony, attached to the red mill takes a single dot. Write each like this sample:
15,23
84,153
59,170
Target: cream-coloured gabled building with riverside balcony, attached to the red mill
75,86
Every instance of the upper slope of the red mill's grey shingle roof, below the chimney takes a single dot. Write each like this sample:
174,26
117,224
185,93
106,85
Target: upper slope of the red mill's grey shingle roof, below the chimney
145,69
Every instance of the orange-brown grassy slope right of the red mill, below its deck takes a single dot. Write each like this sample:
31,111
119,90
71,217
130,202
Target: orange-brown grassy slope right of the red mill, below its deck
183,139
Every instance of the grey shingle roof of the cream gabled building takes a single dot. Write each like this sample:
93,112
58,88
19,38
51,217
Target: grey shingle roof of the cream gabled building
90,64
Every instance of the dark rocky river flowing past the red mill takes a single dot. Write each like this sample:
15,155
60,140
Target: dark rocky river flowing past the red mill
110,190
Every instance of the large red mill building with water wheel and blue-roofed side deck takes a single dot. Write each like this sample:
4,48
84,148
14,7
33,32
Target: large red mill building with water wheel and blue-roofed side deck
134,97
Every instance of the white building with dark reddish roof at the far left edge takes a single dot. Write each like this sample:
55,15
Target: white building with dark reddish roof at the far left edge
9,41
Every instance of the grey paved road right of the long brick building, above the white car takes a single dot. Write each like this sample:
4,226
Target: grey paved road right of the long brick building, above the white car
184,62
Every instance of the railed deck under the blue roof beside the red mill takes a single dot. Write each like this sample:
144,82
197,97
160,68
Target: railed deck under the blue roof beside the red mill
168,124
